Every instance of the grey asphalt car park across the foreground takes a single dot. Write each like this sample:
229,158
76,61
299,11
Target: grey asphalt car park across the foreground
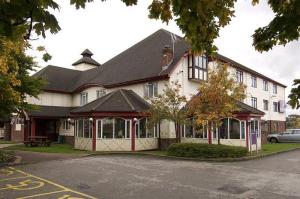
131,176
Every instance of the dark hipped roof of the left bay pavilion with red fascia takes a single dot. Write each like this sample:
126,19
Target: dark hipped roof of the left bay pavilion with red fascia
117,101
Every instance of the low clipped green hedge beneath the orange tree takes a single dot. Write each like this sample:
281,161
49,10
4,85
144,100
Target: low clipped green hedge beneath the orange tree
195,150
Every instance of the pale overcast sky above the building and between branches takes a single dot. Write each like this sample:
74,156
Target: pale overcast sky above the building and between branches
108,28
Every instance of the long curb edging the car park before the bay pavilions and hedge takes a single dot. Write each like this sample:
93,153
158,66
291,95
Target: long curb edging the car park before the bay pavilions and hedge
192,159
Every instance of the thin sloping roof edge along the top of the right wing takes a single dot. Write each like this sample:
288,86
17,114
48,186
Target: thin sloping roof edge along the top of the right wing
244,68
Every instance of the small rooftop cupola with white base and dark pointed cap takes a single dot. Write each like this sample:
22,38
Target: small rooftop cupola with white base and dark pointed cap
86,62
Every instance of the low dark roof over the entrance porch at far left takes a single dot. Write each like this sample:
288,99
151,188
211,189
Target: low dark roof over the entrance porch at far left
51,111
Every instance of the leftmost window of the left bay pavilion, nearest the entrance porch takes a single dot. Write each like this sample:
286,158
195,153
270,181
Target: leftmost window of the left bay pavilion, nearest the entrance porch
83,128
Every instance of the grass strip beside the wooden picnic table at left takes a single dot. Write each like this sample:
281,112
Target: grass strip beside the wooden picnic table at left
54,148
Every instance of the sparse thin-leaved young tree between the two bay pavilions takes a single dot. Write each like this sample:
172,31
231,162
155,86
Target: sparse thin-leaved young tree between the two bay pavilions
168,106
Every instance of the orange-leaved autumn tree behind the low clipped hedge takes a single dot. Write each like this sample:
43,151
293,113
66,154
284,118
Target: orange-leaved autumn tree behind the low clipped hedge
216,99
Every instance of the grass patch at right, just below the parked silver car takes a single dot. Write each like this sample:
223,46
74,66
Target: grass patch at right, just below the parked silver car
278,147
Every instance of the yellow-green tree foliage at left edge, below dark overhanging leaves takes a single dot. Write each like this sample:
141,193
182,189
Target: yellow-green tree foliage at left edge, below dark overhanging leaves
15,82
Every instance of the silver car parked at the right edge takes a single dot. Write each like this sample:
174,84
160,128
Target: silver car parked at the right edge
290,135
